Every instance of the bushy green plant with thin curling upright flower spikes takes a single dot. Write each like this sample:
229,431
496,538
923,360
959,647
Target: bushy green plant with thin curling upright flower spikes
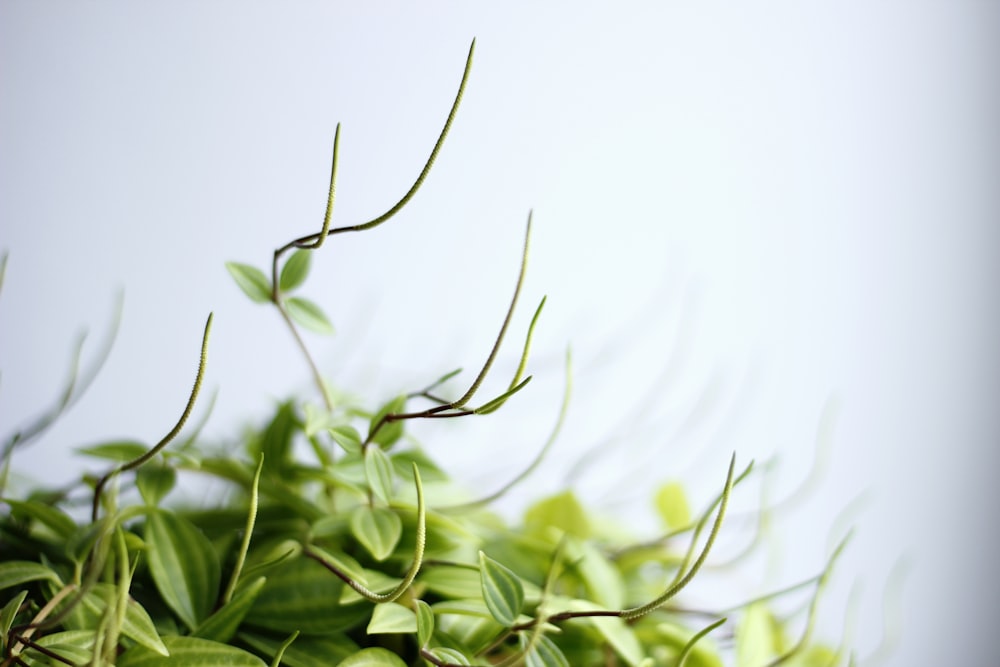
357,554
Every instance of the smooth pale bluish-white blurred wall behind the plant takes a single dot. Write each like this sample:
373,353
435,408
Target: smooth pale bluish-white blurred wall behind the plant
760,227
